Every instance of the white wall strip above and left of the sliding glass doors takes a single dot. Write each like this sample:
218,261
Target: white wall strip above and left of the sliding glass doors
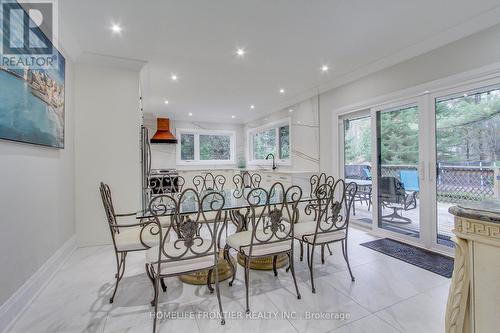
472,52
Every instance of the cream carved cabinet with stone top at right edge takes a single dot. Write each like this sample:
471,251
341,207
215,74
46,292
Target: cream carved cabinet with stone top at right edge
474,296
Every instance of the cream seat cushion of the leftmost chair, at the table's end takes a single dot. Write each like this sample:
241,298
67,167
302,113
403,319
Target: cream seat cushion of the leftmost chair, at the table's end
129,239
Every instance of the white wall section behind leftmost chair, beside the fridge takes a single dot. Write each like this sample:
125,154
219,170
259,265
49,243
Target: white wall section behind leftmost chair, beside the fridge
107,127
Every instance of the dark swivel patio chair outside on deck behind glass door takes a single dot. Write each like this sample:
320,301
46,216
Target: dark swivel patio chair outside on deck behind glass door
393,195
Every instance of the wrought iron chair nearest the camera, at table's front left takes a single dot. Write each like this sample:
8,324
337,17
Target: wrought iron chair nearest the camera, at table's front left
193,247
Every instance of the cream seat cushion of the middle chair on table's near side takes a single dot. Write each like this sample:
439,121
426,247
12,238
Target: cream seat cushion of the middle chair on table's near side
241,240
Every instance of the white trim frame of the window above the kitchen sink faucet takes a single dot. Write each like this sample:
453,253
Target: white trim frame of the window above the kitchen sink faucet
276,124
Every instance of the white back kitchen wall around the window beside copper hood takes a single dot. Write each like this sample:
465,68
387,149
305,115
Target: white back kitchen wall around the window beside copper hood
163,156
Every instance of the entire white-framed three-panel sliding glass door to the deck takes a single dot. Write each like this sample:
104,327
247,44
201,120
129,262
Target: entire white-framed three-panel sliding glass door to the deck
425,155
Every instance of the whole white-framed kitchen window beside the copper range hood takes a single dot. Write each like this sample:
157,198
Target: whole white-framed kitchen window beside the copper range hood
205,147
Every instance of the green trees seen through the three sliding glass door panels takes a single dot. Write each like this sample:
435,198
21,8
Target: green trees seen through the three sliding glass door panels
467,130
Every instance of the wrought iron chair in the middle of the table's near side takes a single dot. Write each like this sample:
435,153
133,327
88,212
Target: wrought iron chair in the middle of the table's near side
272,230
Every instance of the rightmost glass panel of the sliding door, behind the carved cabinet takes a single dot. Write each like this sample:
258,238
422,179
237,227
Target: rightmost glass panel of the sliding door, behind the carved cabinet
467,150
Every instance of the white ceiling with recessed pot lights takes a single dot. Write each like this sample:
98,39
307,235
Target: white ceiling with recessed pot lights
286,43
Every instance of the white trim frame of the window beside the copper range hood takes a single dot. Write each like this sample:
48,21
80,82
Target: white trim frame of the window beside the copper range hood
197,133
